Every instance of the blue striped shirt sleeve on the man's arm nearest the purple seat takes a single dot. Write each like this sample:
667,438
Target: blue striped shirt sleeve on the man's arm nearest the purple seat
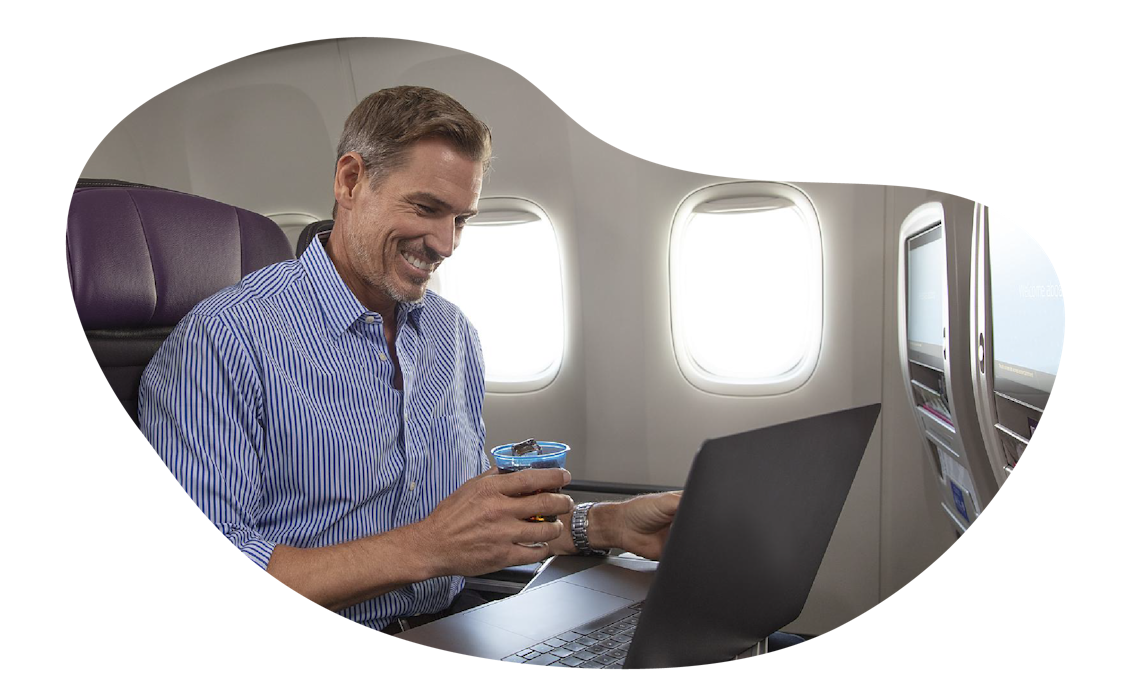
201,410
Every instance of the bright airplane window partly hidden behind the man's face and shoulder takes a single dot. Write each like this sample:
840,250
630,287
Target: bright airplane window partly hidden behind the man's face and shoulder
507,278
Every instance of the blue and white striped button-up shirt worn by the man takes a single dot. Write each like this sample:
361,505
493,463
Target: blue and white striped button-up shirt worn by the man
273,406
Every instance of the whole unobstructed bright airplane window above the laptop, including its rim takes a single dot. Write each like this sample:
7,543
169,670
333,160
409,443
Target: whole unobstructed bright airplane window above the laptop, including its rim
746,278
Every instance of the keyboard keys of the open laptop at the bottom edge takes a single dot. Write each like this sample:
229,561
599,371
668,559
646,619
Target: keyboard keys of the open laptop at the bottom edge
602,644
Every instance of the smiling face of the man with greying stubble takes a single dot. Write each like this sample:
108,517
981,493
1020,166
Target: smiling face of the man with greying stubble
400,233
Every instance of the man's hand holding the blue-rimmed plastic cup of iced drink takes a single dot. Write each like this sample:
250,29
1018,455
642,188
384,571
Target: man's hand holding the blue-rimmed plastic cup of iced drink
483,527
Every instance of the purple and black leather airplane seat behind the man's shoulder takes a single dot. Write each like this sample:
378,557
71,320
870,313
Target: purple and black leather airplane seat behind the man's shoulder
140,258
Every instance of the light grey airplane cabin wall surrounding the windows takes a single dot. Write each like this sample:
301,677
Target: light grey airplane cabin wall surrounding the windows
260,133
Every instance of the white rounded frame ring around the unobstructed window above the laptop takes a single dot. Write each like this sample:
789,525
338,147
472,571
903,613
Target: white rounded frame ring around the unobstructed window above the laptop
747,193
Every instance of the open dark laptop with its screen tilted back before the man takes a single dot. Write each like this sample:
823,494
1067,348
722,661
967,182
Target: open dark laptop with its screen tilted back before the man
758,514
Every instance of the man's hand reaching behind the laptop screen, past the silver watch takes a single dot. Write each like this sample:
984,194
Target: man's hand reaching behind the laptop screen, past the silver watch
640,526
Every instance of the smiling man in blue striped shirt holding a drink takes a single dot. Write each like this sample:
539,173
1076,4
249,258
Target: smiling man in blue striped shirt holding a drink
327,413
